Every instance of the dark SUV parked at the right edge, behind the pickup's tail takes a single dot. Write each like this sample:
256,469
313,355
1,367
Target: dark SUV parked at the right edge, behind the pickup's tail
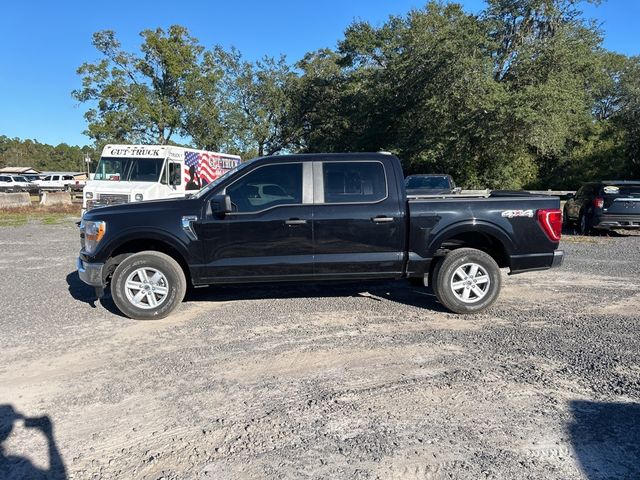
605,205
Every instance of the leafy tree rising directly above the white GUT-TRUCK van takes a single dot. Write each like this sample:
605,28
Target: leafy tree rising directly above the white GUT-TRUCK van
153,97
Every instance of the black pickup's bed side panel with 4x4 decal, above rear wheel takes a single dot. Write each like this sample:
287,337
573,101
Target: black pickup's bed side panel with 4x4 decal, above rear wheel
505,222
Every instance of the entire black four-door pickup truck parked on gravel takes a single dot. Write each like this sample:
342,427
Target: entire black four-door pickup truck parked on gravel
315,217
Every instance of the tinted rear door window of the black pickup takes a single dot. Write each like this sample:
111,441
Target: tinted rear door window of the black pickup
354,182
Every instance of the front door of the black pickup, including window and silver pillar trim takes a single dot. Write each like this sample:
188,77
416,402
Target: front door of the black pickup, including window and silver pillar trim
269,233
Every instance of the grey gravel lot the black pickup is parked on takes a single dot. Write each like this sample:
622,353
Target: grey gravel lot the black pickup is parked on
359,382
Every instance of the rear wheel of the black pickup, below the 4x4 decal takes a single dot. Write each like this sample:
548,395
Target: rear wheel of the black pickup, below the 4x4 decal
487,271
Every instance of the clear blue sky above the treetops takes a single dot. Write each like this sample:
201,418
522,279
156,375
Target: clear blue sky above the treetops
43,42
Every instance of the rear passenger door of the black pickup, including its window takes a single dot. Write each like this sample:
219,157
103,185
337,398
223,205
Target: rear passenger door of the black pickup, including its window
358,223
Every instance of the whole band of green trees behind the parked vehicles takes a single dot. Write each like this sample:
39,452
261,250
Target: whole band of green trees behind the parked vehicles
520,95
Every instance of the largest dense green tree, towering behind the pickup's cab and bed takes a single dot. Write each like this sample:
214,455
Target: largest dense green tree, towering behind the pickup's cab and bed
500,99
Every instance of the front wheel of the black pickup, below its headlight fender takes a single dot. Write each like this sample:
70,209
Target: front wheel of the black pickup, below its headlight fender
171,279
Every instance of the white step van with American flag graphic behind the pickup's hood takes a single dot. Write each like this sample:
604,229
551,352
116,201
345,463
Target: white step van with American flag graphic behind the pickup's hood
134,173
